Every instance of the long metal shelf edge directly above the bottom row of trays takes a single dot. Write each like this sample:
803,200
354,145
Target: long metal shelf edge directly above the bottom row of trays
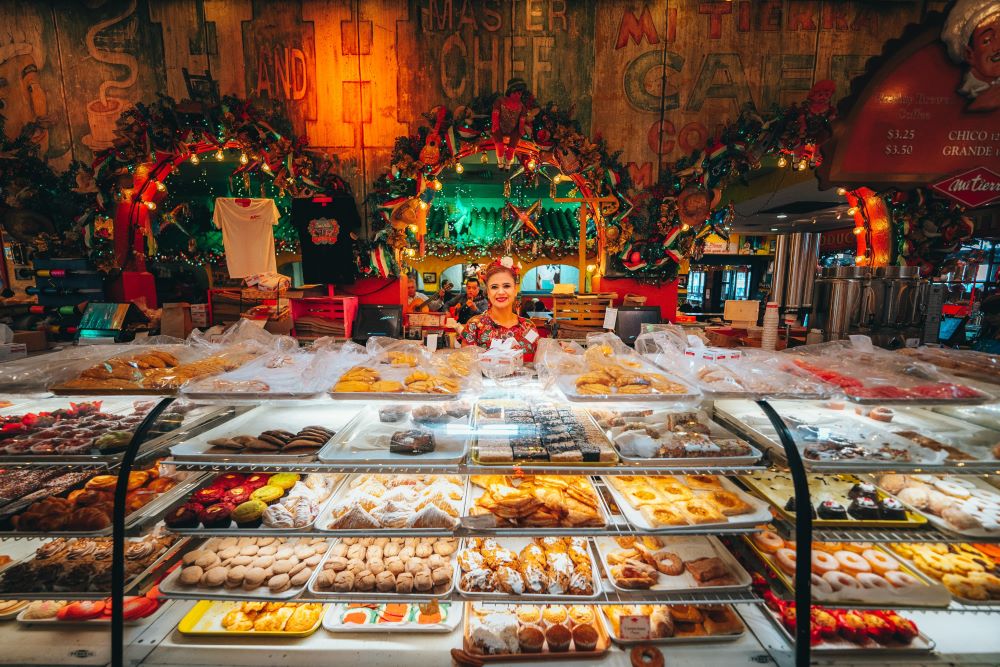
605,597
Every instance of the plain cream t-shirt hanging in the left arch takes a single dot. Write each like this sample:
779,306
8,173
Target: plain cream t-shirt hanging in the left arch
247,234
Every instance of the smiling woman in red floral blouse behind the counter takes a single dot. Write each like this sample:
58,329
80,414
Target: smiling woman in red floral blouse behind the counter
500,321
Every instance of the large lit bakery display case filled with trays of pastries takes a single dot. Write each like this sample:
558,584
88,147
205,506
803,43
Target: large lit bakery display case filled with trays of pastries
505,523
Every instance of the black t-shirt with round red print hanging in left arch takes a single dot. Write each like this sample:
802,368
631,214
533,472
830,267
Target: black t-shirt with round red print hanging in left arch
324,225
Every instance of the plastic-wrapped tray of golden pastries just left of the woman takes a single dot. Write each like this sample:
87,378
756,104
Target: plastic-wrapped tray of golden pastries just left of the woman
406,370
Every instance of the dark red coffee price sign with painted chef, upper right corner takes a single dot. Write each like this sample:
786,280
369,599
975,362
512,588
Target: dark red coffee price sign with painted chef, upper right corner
926,109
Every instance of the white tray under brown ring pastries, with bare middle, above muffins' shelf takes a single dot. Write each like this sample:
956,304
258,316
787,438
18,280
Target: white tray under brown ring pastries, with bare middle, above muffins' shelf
704,545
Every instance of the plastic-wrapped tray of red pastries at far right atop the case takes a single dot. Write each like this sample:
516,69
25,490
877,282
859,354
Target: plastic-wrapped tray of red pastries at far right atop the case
867,374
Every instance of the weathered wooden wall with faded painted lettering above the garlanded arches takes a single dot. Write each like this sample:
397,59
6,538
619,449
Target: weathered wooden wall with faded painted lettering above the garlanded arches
654,78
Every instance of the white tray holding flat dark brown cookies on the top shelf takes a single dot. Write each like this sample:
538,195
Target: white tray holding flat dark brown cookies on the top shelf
254,422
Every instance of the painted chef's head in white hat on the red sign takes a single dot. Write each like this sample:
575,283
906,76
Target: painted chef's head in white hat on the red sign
972,34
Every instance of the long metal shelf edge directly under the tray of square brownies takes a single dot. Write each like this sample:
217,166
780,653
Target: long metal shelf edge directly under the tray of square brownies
460,469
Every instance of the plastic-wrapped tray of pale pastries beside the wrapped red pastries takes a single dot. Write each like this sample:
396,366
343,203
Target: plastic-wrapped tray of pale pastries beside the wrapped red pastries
740,373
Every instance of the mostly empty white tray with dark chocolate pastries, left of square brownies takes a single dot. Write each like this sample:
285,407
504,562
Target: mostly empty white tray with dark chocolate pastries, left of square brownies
451,441
